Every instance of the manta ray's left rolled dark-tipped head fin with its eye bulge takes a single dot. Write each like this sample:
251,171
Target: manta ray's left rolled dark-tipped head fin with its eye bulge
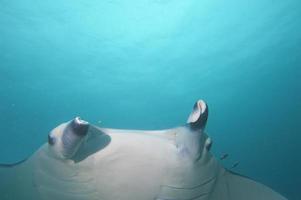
67,138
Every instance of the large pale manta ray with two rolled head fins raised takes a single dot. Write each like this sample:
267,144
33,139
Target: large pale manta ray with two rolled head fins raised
82,161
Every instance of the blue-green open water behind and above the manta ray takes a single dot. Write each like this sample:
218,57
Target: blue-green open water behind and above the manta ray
143,63
